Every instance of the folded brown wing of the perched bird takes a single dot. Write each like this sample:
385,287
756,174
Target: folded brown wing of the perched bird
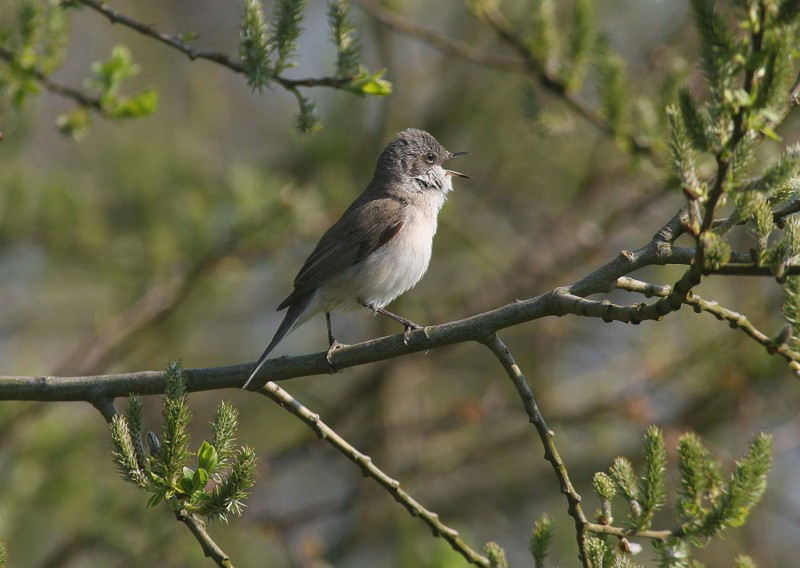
368,224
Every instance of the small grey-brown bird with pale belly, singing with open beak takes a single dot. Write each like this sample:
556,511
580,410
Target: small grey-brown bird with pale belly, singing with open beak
381,245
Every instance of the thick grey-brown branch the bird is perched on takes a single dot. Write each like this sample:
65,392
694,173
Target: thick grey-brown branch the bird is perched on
557,302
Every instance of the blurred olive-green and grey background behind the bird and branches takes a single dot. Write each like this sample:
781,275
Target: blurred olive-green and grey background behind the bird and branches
176,236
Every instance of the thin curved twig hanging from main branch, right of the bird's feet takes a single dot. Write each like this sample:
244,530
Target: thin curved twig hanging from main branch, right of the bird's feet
496,346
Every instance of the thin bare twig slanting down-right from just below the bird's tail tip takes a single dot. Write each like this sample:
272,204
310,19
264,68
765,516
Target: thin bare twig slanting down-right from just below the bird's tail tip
369,469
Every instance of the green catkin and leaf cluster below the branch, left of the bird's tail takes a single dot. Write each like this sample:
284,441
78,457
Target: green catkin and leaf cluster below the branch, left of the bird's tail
164,471
